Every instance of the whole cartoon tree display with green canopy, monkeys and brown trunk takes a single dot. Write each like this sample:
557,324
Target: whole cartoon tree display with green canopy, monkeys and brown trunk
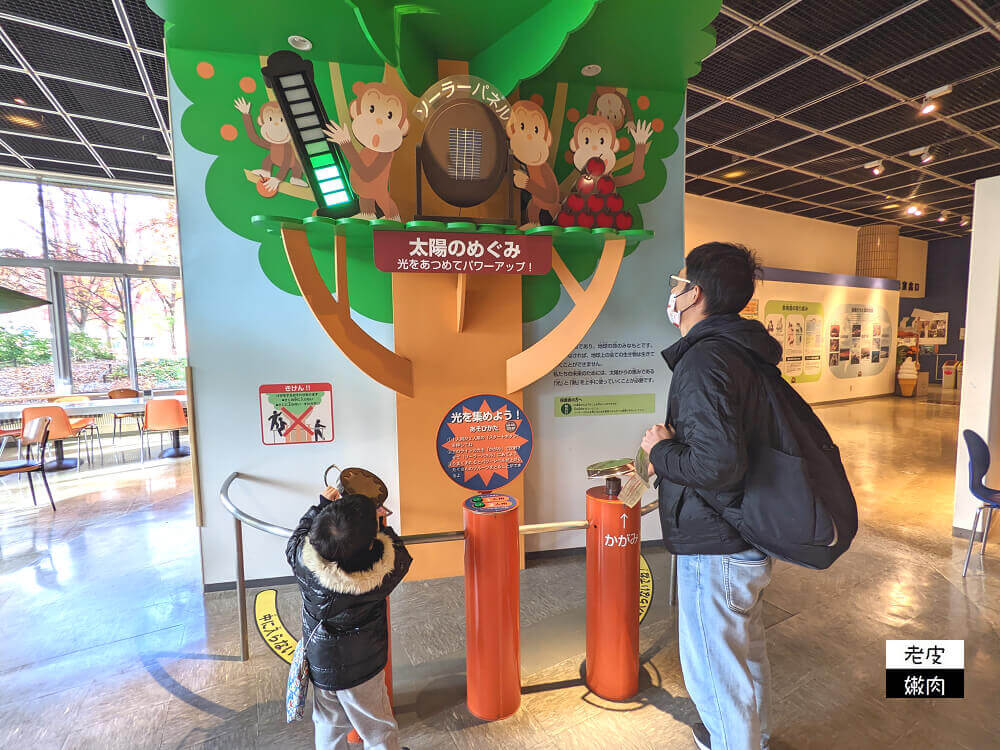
618,65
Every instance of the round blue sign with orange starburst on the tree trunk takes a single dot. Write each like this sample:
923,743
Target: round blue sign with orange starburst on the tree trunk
484,442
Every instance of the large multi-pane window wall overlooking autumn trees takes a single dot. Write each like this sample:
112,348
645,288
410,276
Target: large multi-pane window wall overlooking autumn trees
110,259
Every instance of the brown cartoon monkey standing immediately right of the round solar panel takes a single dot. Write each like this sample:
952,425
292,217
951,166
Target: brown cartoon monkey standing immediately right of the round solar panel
530,140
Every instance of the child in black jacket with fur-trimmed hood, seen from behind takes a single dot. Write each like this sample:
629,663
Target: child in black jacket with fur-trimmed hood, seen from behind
346,566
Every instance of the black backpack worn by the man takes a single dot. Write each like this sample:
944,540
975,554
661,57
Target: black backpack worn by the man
797,502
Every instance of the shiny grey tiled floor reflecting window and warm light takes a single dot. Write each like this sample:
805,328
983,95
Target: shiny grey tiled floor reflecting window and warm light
111,644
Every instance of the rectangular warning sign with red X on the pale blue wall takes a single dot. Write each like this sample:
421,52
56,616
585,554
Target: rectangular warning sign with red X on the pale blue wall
296,413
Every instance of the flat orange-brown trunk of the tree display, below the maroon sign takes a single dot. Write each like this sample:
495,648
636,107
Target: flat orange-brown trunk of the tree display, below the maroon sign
448,366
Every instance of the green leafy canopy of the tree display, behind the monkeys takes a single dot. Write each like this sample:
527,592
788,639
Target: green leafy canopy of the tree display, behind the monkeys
653,48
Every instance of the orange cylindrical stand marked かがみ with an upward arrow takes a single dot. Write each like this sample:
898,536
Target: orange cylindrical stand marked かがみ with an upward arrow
612,596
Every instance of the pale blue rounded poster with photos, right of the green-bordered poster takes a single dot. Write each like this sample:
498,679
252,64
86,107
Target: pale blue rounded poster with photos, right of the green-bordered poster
861,338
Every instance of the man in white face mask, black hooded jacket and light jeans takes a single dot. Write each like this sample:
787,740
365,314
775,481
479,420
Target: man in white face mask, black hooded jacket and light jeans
715,414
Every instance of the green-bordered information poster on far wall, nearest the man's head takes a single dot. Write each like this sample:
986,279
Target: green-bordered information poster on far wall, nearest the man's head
798,327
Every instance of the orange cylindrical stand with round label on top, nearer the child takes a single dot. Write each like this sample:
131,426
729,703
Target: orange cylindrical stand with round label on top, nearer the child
492,606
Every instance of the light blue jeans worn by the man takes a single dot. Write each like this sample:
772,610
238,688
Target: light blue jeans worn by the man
723,652
